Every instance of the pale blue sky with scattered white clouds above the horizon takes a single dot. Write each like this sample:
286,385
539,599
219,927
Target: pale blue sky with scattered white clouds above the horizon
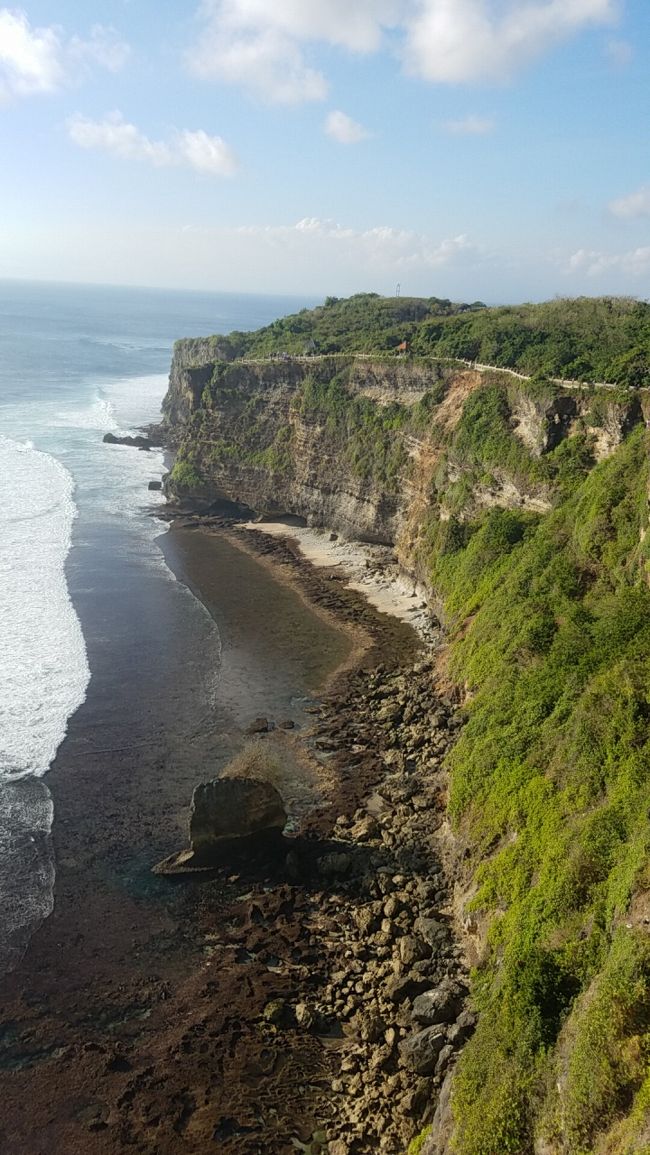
474,150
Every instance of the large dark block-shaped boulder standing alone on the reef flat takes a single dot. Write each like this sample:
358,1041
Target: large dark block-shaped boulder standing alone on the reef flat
226,813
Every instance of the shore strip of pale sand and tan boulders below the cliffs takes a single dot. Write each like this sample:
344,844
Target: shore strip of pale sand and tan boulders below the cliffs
399,1076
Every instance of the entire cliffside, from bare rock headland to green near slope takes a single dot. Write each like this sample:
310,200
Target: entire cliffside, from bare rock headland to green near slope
521,508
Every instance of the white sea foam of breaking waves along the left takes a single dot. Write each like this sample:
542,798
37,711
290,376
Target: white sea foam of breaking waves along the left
43,664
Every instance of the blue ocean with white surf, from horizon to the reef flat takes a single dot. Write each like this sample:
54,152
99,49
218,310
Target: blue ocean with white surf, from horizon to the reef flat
78,531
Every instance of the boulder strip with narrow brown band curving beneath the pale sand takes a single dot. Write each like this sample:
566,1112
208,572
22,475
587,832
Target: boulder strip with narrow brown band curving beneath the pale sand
362,947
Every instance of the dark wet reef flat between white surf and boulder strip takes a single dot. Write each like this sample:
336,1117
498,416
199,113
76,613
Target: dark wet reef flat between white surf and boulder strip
121,1012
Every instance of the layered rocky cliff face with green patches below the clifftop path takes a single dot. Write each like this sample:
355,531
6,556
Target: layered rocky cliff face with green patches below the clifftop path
364,446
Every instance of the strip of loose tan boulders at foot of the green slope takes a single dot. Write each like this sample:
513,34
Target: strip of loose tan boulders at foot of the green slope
394,981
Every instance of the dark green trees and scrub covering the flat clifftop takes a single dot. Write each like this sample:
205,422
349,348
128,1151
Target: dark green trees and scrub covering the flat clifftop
585,339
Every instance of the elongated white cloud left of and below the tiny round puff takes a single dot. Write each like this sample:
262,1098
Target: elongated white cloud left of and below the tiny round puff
192,150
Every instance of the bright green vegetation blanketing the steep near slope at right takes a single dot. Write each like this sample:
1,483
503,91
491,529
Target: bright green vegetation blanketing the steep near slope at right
550,781
